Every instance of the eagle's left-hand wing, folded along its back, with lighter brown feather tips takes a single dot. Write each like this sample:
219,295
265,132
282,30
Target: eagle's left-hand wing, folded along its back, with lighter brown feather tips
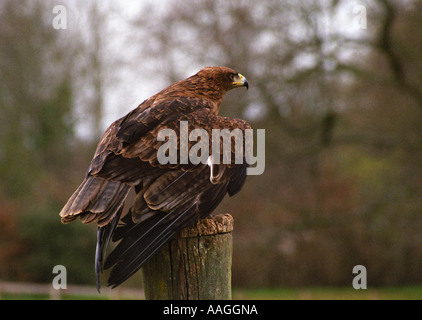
110,176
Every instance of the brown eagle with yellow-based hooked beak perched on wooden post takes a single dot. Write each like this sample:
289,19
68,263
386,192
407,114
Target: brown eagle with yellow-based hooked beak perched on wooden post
168,196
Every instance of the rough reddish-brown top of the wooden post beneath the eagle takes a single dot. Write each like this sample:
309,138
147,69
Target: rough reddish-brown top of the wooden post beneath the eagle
222,223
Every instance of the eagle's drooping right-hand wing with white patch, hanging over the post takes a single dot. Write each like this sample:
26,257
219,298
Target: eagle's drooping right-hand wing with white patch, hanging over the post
171,197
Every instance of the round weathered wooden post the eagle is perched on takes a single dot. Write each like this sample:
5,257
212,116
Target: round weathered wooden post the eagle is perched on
196,265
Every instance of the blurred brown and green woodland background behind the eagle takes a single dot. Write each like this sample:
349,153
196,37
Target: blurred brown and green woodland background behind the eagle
341,106
